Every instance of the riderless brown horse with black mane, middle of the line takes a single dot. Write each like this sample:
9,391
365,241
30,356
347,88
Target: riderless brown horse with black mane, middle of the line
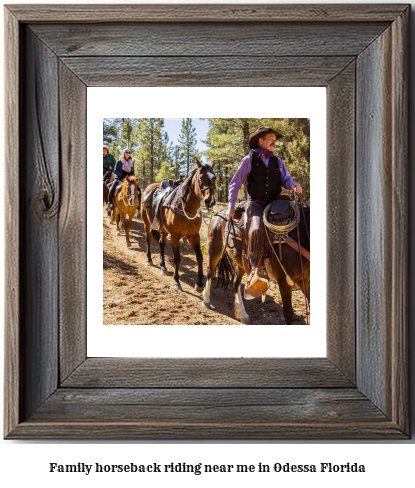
182,218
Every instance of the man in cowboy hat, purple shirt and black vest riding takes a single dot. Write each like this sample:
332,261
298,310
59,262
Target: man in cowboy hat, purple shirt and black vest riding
265,174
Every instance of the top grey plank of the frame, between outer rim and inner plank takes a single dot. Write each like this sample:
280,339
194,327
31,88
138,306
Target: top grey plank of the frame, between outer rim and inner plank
227,39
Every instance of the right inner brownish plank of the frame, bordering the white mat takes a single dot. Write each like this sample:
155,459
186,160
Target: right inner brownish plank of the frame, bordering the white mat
341,310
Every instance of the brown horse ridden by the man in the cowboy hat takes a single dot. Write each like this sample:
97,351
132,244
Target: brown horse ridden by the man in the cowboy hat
230,268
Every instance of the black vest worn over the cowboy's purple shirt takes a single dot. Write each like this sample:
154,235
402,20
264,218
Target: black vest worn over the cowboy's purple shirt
264,183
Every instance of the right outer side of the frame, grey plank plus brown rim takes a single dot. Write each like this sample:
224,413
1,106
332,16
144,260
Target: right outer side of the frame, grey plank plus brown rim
382,223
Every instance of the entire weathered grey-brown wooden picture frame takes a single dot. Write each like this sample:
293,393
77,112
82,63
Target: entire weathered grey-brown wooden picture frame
359,52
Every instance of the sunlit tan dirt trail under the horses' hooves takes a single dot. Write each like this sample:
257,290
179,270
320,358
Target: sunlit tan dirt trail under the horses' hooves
135,293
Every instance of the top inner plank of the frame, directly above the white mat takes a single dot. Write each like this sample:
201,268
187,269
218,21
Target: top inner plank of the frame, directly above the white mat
207,71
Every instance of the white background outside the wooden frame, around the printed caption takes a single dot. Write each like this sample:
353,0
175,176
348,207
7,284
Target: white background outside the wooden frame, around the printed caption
387,464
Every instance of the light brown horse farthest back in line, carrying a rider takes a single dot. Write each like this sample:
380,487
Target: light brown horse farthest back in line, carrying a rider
126,202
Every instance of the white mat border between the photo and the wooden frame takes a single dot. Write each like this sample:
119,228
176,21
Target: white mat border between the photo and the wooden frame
206,341
